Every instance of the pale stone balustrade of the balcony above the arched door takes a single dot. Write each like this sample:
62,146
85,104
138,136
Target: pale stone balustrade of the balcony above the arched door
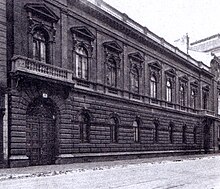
27,65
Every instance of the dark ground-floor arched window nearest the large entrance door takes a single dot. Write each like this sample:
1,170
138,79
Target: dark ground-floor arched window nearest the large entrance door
84,121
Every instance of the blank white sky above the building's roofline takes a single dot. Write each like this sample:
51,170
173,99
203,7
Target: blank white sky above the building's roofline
172,19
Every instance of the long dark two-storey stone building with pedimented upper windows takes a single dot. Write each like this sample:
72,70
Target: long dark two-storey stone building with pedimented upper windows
85,82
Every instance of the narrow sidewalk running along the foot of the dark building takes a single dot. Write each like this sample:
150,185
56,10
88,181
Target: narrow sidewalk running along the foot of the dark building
50,170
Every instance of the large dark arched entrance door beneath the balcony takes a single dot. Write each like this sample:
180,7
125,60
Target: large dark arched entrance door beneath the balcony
41,135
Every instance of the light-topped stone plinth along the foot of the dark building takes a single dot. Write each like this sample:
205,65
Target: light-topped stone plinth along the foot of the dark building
23,161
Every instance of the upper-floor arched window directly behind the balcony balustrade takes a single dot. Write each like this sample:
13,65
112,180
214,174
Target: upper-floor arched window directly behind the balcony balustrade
40,46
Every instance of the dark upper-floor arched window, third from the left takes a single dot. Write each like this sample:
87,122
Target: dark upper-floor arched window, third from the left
112,73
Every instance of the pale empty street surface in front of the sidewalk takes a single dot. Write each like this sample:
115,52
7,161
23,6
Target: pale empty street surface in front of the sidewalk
192,173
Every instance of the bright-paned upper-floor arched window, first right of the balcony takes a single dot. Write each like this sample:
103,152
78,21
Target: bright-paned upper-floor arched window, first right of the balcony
81,63
